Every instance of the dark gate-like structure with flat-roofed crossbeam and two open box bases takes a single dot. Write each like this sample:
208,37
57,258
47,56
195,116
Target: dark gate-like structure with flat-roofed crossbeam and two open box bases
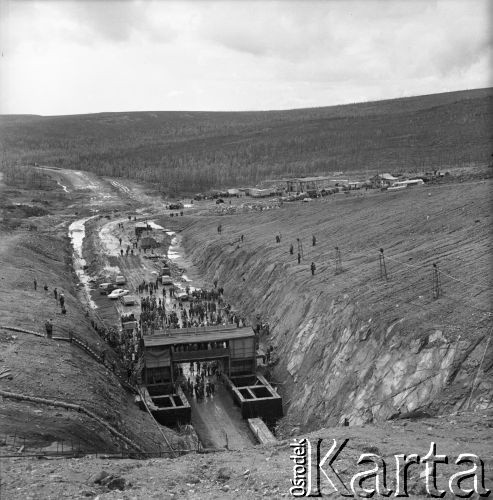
233,347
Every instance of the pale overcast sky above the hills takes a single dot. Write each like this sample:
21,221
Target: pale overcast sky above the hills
65,57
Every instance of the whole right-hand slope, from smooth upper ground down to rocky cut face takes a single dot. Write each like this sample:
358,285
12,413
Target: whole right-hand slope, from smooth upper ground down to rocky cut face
354,346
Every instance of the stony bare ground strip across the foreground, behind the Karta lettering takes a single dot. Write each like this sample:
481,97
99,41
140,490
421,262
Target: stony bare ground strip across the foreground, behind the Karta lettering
261,472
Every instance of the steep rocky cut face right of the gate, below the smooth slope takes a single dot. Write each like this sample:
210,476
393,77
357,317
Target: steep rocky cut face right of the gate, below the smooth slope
339,361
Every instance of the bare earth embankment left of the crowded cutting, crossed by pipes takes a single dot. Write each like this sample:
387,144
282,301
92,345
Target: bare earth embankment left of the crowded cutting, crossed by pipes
51,369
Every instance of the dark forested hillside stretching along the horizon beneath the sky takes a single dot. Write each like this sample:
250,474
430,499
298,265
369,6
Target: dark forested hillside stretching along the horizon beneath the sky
194,151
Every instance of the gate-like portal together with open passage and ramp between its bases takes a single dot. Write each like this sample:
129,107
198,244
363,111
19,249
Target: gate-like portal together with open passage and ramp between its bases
193,376
